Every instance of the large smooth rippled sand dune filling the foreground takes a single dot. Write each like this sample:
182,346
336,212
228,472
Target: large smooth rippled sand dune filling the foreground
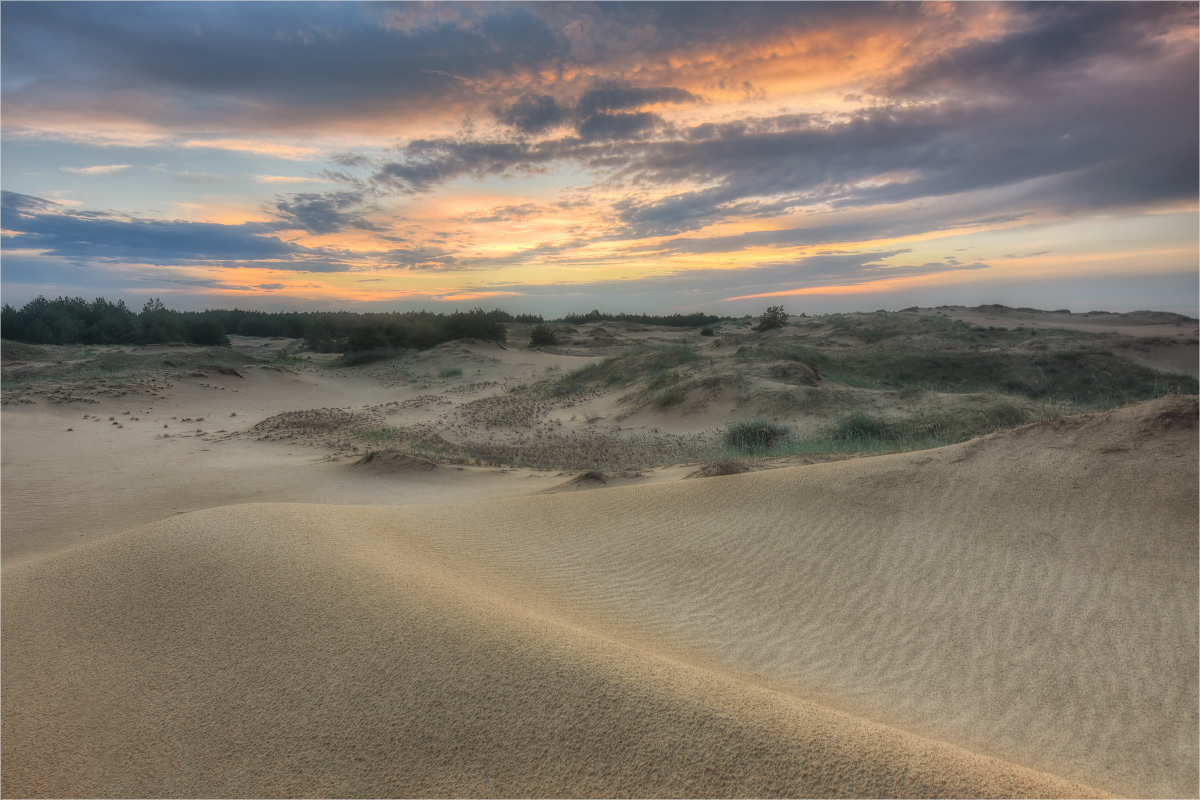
1013,616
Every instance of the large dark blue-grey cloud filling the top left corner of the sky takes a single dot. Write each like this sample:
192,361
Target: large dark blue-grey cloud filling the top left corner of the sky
251,69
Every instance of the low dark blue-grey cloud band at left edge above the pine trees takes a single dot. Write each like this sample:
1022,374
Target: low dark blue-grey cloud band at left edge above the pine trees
38,225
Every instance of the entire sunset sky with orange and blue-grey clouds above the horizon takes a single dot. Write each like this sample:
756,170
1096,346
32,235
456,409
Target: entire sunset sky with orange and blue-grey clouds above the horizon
626,157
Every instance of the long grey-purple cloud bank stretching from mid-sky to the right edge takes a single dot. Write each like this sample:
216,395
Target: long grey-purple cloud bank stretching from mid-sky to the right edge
1123,143
